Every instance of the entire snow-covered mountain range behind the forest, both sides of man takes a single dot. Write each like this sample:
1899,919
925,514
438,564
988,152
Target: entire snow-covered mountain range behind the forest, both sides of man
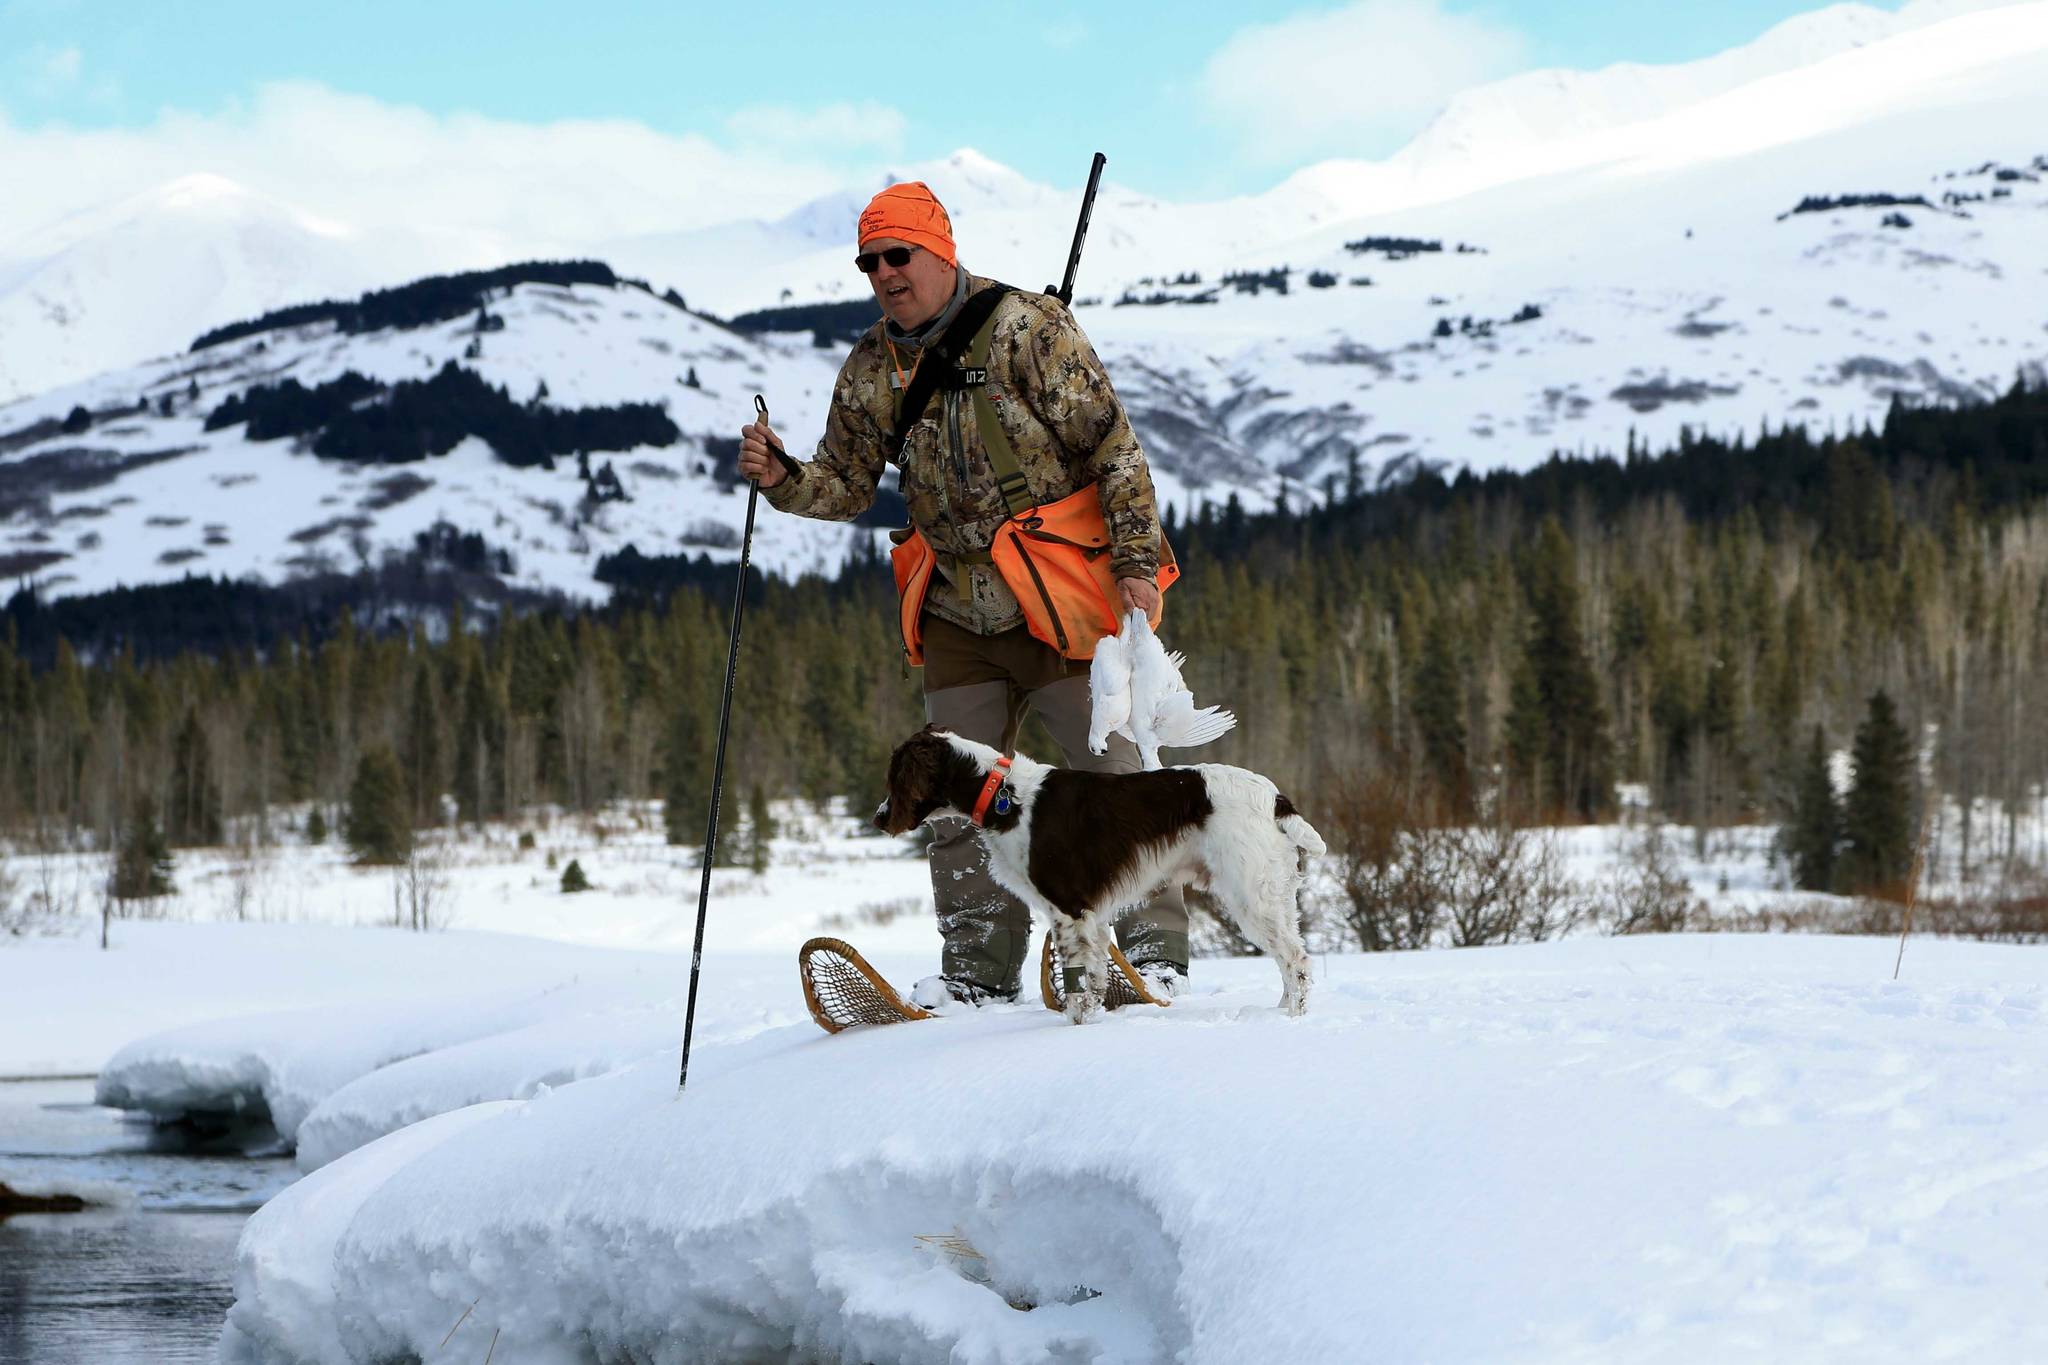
1850,210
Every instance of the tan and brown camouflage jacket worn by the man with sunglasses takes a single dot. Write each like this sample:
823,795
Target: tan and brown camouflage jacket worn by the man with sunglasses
1066,427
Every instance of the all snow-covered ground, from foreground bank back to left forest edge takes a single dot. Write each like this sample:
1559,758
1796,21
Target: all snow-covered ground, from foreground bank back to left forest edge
1619,1149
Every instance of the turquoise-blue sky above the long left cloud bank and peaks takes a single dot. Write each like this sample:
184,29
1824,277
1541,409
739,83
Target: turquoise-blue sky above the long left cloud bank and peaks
1189,99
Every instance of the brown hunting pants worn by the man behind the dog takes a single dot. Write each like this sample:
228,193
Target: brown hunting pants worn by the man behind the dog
982,687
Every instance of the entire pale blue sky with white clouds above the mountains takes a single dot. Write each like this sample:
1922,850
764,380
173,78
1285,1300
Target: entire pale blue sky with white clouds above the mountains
480,130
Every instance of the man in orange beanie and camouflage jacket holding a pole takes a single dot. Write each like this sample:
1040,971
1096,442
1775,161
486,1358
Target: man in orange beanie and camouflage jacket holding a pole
984,670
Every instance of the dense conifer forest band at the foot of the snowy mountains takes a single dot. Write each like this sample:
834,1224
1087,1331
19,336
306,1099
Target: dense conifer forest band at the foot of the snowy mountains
1699,627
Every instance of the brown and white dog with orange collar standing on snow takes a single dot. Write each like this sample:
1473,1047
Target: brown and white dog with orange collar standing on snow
1076,846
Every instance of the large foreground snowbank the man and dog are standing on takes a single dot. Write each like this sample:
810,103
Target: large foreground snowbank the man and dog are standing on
1623,1149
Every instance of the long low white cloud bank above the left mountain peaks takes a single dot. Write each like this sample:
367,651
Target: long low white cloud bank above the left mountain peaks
490,185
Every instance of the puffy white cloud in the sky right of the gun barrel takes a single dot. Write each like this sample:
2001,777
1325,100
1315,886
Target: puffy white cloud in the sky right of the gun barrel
1351,81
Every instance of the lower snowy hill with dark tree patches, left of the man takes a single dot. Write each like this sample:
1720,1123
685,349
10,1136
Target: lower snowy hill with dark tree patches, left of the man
148,492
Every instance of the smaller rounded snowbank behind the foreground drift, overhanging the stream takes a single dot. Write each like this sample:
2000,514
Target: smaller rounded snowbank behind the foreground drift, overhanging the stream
519,1018
